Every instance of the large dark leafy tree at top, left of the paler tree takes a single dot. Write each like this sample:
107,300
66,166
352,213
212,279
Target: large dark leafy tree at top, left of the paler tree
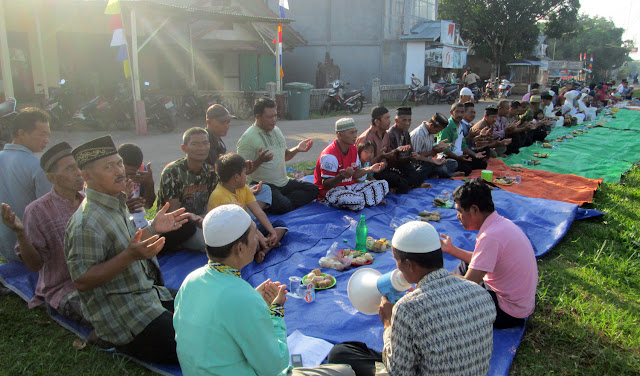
502,30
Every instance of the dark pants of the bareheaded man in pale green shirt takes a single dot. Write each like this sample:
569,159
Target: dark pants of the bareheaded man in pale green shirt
292,195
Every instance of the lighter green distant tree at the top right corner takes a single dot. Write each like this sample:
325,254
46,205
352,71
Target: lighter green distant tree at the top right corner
596,36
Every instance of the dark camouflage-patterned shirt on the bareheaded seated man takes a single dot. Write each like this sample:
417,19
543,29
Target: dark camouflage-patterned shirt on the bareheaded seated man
192,189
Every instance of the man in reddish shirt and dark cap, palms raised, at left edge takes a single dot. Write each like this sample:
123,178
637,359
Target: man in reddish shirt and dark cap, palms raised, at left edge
41,233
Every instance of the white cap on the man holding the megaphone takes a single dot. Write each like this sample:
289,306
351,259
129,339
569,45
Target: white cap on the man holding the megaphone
416,237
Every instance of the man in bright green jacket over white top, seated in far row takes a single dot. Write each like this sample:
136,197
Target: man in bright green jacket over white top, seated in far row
467,159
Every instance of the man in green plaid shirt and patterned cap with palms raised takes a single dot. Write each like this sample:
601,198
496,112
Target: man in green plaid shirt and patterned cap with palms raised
113,265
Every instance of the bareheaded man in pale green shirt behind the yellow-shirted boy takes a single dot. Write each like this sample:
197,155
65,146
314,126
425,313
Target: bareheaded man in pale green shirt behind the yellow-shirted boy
287,194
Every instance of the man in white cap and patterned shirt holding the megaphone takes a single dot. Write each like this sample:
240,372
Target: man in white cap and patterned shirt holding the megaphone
443,327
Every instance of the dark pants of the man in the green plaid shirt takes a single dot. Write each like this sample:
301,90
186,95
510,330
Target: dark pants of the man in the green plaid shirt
156,343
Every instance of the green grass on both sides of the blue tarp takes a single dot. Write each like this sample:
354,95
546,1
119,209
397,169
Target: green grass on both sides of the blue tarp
587,319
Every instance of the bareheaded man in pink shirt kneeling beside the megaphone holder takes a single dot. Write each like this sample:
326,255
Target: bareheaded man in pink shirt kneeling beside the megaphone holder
503,261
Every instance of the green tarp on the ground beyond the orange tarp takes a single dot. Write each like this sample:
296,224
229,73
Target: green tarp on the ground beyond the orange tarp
603,152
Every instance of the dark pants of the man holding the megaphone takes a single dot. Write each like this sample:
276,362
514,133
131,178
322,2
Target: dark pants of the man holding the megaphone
356,354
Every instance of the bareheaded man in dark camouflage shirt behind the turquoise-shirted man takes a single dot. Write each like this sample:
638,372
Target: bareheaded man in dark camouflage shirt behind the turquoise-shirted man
188,183
